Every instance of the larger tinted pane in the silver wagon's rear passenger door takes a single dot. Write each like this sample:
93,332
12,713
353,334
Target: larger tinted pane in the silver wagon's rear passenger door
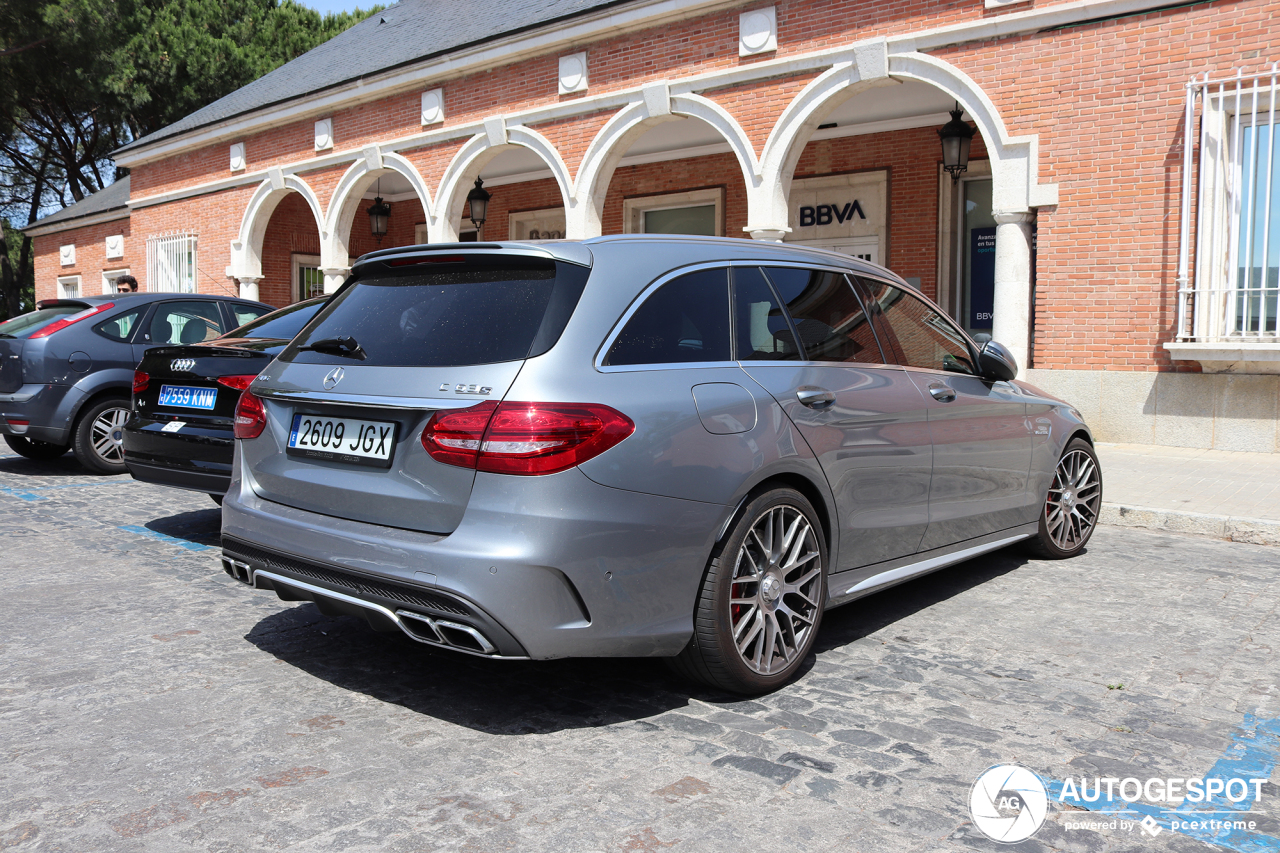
828,316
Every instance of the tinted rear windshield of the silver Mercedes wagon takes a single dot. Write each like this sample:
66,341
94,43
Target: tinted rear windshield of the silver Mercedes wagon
474,311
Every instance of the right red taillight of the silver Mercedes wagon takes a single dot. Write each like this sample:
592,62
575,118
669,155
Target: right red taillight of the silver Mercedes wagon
525,439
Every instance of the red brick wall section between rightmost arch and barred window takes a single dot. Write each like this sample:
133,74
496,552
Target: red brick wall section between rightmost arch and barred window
1108,102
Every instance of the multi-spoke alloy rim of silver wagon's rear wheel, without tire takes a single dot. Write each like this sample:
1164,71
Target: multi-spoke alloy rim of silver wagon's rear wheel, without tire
774,599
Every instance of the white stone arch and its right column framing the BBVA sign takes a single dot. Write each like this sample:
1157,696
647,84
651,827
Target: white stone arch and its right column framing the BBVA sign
1014,165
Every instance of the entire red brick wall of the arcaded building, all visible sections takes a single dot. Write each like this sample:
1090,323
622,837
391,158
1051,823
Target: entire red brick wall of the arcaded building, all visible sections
1105,99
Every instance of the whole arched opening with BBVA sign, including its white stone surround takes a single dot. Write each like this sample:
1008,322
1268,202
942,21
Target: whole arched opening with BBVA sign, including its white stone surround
885,110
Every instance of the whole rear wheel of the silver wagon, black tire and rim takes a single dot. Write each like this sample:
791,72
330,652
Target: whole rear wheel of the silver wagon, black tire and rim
752,636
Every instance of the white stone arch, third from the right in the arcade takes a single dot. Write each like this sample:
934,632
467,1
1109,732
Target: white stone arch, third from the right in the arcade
472,159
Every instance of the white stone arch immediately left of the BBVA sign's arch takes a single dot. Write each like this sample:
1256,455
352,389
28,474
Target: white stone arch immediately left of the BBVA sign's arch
630,124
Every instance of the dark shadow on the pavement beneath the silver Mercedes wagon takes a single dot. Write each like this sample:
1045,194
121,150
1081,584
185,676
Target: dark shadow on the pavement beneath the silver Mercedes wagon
538,697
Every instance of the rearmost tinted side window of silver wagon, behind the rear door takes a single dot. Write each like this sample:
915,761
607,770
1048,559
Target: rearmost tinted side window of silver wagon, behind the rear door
687,320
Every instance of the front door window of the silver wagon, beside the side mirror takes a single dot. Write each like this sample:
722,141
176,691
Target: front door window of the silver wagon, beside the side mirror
921,336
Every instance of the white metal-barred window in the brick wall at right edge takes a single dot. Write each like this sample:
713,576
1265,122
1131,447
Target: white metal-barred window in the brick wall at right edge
1232,168
